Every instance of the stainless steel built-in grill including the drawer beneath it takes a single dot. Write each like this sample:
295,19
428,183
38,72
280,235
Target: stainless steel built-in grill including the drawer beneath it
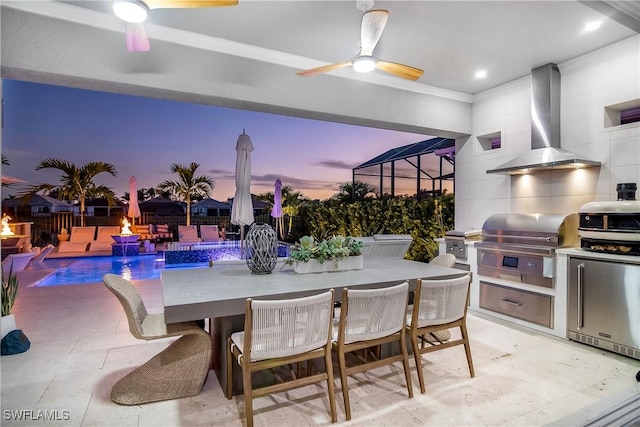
516,256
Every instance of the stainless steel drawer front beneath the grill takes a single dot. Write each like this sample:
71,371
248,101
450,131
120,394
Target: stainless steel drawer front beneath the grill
529,306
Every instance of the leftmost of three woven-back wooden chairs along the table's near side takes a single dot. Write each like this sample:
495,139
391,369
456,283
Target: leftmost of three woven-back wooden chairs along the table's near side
278,333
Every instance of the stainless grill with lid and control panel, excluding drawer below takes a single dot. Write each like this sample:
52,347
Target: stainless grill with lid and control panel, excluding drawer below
521,247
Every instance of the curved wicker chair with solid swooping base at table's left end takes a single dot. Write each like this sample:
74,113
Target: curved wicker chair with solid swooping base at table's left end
178,371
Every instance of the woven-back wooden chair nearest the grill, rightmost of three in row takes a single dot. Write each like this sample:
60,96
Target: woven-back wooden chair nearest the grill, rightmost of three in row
442,304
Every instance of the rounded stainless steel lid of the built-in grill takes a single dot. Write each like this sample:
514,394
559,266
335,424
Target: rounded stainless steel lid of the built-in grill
532,229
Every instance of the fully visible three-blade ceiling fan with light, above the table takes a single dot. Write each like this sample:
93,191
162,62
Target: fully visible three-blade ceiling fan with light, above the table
373,22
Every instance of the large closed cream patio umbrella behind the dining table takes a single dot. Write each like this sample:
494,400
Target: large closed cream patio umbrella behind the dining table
242,208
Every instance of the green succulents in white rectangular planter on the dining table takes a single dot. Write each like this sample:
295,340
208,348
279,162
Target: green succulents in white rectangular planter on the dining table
337,253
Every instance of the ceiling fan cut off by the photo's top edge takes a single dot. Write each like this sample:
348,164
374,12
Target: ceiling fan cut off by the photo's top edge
134,13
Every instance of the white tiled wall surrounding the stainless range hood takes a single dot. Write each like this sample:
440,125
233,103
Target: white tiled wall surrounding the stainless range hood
588,84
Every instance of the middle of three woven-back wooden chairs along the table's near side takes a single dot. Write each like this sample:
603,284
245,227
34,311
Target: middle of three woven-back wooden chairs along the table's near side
370,318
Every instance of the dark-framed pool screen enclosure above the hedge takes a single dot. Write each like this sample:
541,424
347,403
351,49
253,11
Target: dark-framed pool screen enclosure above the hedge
419,169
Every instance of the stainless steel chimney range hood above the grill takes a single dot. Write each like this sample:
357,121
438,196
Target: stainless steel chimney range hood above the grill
545,151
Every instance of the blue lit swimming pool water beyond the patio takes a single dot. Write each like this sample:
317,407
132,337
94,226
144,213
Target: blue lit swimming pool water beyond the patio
92,269
